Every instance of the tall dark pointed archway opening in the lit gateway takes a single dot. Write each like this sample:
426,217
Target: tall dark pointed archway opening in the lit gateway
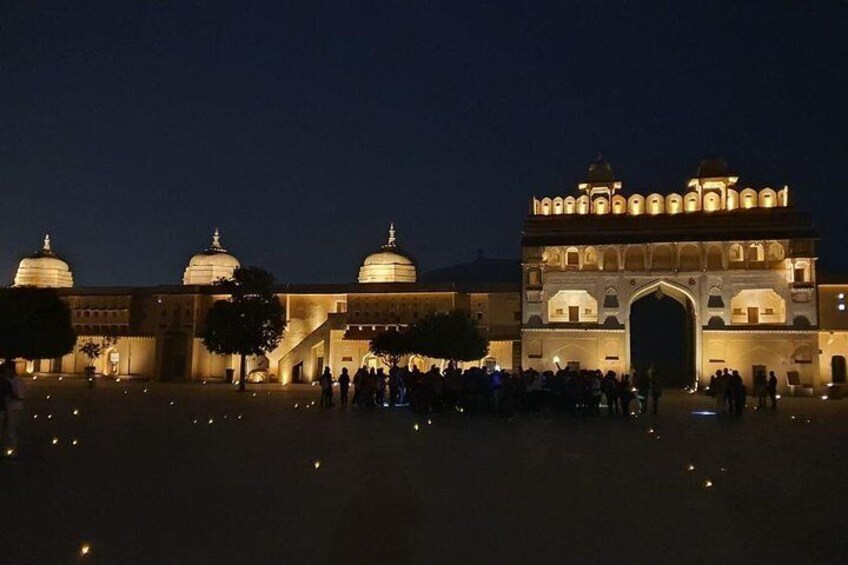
662,334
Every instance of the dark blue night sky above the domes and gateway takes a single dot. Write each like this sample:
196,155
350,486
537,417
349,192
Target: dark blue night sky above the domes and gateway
129,130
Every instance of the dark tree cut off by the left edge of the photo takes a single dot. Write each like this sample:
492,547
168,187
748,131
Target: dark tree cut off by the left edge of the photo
34,324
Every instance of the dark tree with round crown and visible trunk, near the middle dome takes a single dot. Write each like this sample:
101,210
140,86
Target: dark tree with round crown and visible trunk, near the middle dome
249,322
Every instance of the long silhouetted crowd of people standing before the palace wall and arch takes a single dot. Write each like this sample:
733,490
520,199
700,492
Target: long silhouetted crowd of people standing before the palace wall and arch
579,392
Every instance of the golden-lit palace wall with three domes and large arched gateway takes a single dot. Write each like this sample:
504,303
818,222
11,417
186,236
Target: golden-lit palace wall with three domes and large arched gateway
741,261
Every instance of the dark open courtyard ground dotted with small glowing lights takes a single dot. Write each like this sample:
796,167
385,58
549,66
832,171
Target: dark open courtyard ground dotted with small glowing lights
200,474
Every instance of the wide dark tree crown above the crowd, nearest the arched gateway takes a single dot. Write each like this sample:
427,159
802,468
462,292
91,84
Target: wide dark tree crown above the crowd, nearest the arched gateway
453,336
